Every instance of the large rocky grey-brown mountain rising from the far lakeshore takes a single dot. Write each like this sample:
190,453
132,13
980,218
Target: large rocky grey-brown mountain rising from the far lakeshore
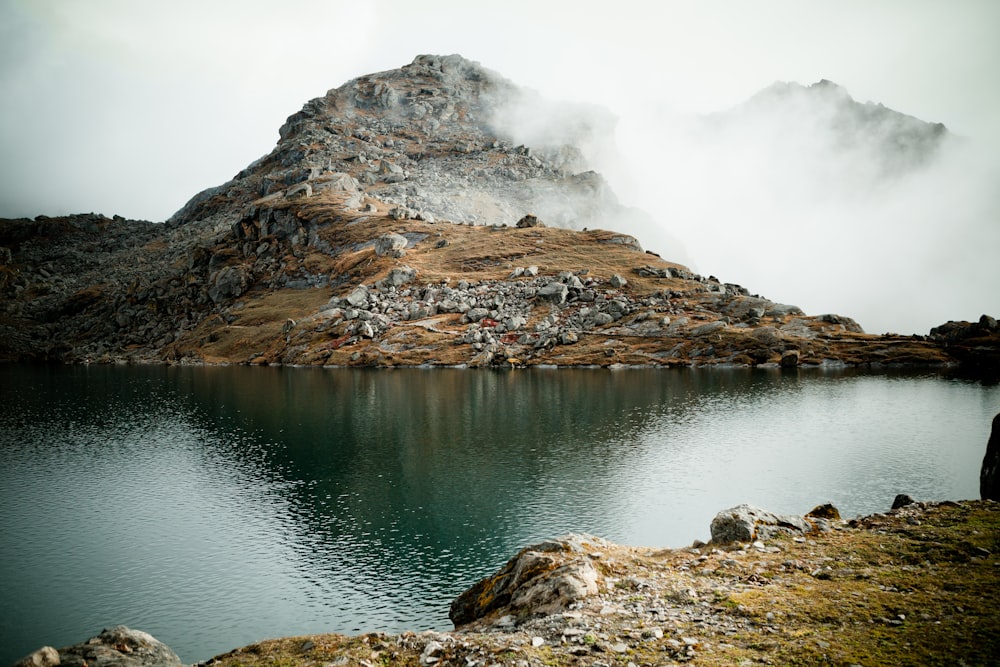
401,220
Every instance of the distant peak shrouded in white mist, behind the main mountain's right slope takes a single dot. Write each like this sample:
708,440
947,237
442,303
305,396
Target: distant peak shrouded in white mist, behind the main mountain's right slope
838,204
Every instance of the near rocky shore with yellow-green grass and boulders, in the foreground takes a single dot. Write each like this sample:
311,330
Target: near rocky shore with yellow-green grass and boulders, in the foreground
915,585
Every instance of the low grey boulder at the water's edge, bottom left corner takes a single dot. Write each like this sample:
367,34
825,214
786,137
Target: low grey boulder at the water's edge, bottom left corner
114,647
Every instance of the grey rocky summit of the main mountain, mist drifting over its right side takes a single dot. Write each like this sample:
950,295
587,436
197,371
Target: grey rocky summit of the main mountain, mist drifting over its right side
437,138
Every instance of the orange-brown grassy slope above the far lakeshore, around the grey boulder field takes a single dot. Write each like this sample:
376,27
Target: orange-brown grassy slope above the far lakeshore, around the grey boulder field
257,329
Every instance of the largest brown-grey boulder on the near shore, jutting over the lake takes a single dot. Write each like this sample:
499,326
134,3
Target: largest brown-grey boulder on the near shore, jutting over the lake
542,578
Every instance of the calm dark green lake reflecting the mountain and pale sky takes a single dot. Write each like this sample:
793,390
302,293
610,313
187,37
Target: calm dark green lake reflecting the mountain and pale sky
213,507
